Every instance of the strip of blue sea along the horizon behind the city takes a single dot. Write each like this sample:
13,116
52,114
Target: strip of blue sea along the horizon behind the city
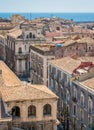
77,17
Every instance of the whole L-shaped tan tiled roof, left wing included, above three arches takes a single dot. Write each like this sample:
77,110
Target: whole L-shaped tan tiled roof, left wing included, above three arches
14,90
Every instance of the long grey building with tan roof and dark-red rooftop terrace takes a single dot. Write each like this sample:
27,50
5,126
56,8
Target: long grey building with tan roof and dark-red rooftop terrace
75,91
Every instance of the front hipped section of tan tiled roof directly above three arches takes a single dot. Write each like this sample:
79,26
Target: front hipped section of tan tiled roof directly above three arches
26,92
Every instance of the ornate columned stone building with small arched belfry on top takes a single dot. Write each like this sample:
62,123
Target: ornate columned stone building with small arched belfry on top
17,48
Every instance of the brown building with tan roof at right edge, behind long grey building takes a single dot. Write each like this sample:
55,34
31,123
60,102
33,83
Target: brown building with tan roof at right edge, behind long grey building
80,47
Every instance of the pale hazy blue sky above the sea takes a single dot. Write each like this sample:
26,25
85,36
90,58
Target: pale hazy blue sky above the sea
46,5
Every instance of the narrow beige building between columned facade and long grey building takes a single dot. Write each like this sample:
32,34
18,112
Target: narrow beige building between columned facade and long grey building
39,57
